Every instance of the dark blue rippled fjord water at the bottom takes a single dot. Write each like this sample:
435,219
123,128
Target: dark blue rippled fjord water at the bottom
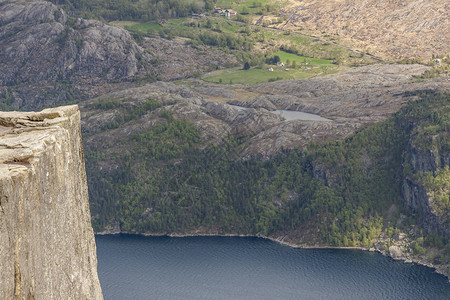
137,267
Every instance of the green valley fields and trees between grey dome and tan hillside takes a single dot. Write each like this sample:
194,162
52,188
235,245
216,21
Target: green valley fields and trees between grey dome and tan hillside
171,19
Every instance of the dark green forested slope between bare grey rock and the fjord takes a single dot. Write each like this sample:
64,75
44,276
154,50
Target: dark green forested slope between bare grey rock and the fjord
166,181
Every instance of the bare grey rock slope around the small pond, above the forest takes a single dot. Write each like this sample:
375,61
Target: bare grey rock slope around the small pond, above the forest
349,100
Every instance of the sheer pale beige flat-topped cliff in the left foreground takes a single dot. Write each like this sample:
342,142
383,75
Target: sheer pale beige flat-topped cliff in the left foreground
47,246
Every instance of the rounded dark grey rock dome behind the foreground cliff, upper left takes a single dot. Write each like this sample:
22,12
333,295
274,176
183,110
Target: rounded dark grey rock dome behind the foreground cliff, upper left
53,58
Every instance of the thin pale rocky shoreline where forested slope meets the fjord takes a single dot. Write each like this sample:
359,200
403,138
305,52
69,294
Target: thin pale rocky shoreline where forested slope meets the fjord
284,243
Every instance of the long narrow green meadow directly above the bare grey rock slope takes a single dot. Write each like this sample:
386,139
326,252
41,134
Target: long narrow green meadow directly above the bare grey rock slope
254,76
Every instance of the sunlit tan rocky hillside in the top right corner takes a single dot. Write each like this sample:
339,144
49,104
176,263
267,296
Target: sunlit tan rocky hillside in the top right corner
393,29
